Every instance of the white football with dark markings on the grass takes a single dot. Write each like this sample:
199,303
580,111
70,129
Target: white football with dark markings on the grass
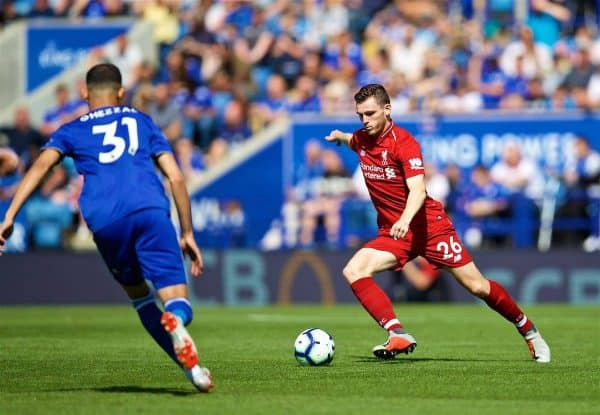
314,347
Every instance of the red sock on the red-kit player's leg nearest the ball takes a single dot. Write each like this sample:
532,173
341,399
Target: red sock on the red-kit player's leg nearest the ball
376,302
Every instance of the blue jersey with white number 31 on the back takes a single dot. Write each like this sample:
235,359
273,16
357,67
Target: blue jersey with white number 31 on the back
114,149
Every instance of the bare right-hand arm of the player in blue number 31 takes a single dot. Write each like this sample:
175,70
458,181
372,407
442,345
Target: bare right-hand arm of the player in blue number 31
170,169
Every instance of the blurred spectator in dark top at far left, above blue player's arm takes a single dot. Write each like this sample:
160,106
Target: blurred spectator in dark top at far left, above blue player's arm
22,137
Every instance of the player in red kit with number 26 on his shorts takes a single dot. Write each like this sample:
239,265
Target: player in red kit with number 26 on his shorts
410,224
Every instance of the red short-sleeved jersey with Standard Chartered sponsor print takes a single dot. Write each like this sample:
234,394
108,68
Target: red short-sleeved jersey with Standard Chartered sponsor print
386,162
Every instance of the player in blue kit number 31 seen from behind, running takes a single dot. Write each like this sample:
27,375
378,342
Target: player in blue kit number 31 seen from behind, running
117,149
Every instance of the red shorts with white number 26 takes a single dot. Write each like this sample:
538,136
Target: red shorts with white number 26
438,243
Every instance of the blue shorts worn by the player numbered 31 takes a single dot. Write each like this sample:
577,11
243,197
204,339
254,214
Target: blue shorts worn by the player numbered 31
142,246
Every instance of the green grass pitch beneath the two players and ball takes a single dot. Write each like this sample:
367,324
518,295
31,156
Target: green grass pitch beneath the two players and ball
99,360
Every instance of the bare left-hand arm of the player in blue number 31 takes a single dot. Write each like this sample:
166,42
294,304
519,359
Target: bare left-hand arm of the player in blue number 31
30,182
